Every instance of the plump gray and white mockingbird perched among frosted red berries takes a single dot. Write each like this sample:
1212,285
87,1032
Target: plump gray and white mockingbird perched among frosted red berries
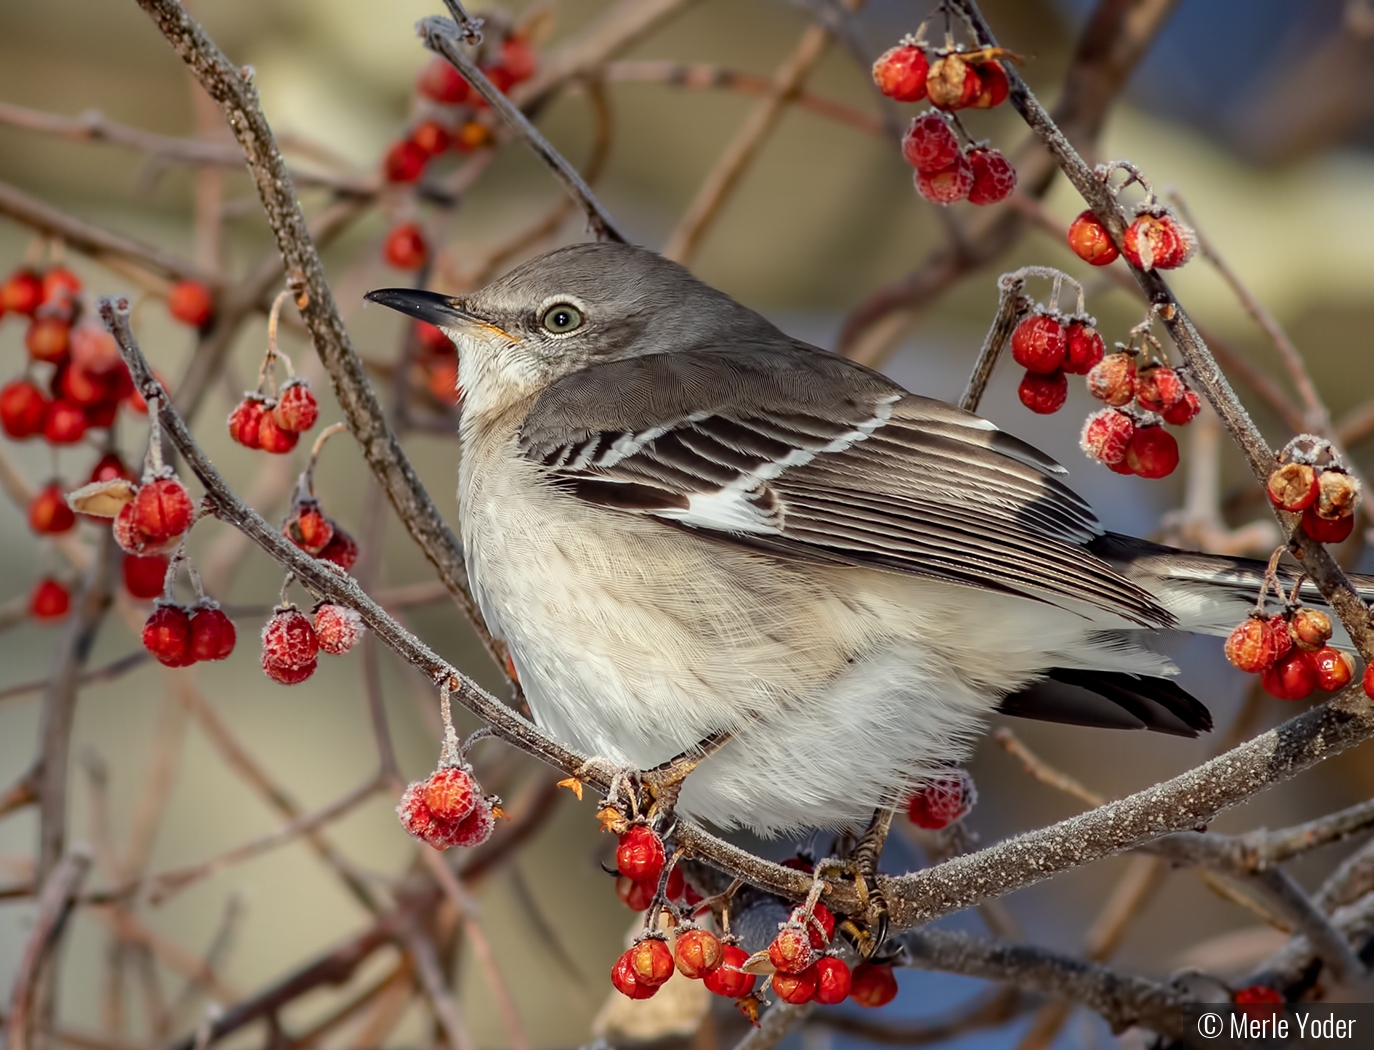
684,522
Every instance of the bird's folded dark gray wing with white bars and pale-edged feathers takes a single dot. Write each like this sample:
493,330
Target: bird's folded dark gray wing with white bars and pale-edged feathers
811,456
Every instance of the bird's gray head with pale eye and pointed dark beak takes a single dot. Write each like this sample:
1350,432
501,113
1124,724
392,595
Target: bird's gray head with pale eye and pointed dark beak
574,309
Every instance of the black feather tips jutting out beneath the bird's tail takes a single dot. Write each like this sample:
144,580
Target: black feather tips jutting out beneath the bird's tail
1111,700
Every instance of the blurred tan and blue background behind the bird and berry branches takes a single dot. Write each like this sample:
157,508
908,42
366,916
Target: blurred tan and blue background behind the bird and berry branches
1257,112
